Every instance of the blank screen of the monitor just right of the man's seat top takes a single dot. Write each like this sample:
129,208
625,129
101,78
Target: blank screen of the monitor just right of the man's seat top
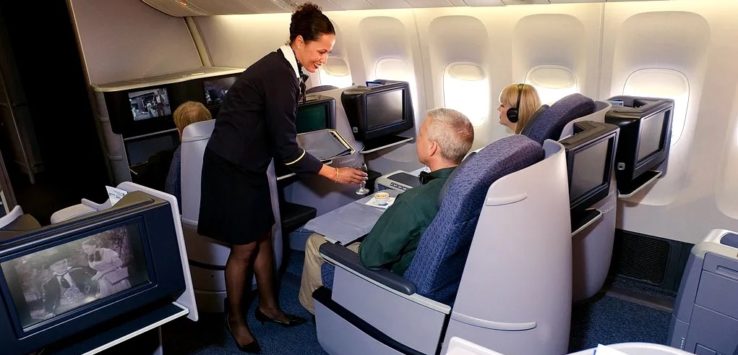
588,171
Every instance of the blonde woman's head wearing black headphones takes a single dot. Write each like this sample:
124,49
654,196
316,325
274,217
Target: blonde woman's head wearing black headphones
518,103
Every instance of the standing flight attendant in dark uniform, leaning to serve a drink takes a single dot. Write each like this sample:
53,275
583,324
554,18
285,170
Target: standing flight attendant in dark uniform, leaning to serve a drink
255,124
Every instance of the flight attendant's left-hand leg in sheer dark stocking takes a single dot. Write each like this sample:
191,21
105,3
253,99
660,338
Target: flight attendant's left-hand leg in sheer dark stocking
237,268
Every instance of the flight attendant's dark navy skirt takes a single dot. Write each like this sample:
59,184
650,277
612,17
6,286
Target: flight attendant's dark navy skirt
235,205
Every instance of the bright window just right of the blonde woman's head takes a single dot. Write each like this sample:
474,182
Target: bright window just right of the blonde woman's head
552,82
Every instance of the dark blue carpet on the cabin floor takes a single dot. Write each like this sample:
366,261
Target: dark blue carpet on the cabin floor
601,320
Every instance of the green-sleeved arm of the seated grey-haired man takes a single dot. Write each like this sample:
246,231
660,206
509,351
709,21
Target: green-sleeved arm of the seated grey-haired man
389,236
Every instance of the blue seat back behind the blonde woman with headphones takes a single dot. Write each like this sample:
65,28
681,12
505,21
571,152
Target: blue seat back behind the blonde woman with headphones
549,123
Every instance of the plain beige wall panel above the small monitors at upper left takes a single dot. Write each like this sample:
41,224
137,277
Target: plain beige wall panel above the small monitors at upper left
123,40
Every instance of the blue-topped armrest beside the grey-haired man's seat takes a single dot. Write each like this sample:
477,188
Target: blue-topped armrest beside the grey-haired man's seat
340,256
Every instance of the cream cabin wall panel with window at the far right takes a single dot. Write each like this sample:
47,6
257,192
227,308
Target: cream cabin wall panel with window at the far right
693,40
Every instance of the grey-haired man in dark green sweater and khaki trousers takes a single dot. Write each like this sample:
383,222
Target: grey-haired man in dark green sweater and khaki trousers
443,140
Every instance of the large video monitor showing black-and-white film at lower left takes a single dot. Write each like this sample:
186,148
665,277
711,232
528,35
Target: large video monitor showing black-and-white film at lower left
72,282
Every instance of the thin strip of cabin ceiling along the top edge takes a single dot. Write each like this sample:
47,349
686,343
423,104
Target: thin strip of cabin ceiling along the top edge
183,8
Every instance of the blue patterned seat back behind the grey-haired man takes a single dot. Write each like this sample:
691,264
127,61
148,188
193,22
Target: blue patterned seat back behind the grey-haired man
441,255
